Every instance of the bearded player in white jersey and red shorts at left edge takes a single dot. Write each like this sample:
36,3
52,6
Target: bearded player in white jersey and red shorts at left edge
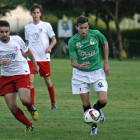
15,74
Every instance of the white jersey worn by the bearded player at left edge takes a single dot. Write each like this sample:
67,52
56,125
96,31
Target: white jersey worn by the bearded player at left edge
12,51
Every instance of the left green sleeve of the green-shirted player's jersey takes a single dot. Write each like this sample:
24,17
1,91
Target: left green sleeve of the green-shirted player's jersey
72,51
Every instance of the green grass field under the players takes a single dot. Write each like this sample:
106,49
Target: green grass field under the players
66,123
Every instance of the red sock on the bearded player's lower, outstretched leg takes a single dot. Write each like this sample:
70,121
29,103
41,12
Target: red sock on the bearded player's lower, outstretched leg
19,115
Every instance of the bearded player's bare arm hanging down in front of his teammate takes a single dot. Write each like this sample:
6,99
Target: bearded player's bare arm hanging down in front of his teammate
30,55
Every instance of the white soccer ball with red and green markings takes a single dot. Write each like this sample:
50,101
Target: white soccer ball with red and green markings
91,116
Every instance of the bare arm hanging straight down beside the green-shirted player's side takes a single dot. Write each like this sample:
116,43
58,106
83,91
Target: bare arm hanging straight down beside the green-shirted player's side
106,62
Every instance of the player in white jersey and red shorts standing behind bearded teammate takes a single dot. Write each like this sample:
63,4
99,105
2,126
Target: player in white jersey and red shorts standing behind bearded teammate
37,36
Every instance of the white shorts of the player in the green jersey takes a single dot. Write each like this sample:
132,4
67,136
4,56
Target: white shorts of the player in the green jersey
81,81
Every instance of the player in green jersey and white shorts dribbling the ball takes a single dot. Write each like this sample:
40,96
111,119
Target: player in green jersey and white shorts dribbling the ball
85,55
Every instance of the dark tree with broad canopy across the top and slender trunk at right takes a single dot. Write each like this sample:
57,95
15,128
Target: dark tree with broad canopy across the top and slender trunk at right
107,10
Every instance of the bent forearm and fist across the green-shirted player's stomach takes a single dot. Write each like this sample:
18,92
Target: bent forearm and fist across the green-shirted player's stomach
84,65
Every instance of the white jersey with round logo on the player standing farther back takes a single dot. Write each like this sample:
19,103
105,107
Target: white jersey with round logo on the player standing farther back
38,39
